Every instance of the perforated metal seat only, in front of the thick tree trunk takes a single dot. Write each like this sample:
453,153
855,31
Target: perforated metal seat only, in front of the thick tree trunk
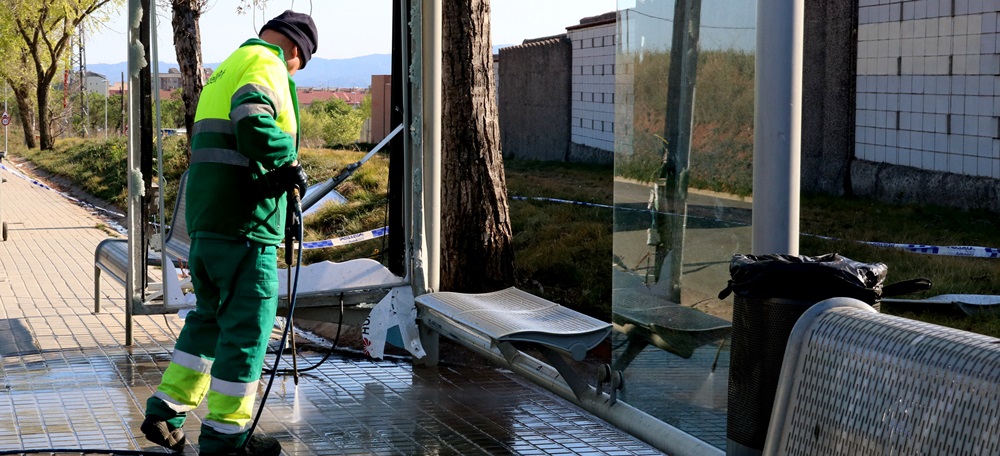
513,315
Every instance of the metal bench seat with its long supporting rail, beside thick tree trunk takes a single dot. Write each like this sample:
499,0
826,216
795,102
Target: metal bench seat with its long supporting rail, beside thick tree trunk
499,325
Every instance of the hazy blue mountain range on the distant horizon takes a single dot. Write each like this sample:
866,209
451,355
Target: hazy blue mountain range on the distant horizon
325,73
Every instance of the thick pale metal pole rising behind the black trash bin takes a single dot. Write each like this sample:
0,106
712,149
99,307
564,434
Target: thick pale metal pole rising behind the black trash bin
777,127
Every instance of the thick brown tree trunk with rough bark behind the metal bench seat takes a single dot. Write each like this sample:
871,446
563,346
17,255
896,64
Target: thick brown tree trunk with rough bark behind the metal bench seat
477,254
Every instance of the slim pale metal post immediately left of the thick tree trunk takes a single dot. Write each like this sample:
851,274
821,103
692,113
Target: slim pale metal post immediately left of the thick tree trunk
431,136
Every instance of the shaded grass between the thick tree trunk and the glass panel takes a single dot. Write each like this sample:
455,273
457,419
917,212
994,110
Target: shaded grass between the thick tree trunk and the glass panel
562,252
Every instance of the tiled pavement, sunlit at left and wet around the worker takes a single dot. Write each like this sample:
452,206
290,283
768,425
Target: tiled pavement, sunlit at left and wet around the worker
68,383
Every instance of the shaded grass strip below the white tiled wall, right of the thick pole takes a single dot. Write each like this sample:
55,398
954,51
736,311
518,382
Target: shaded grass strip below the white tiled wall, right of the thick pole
864,220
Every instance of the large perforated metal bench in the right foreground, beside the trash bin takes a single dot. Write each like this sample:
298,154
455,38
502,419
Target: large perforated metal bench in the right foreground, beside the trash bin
854,381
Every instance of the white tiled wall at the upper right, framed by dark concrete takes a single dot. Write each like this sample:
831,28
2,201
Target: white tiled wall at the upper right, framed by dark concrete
927,80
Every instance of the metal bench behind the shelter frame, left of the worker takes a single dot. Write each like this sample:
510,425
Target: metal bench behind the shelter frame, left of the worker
111,255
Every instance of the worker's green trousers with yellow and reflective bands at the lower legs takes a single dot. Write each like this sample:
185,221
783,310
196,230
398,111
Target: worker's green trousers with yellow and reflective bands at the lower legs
220,350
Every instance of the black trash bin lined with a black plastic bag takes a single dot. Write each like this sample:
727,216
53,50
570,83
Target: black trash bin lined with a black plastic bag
772,292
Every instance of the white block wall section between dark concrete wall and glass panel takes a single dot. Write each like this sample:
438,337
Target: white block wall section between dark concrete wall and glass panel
593,86
